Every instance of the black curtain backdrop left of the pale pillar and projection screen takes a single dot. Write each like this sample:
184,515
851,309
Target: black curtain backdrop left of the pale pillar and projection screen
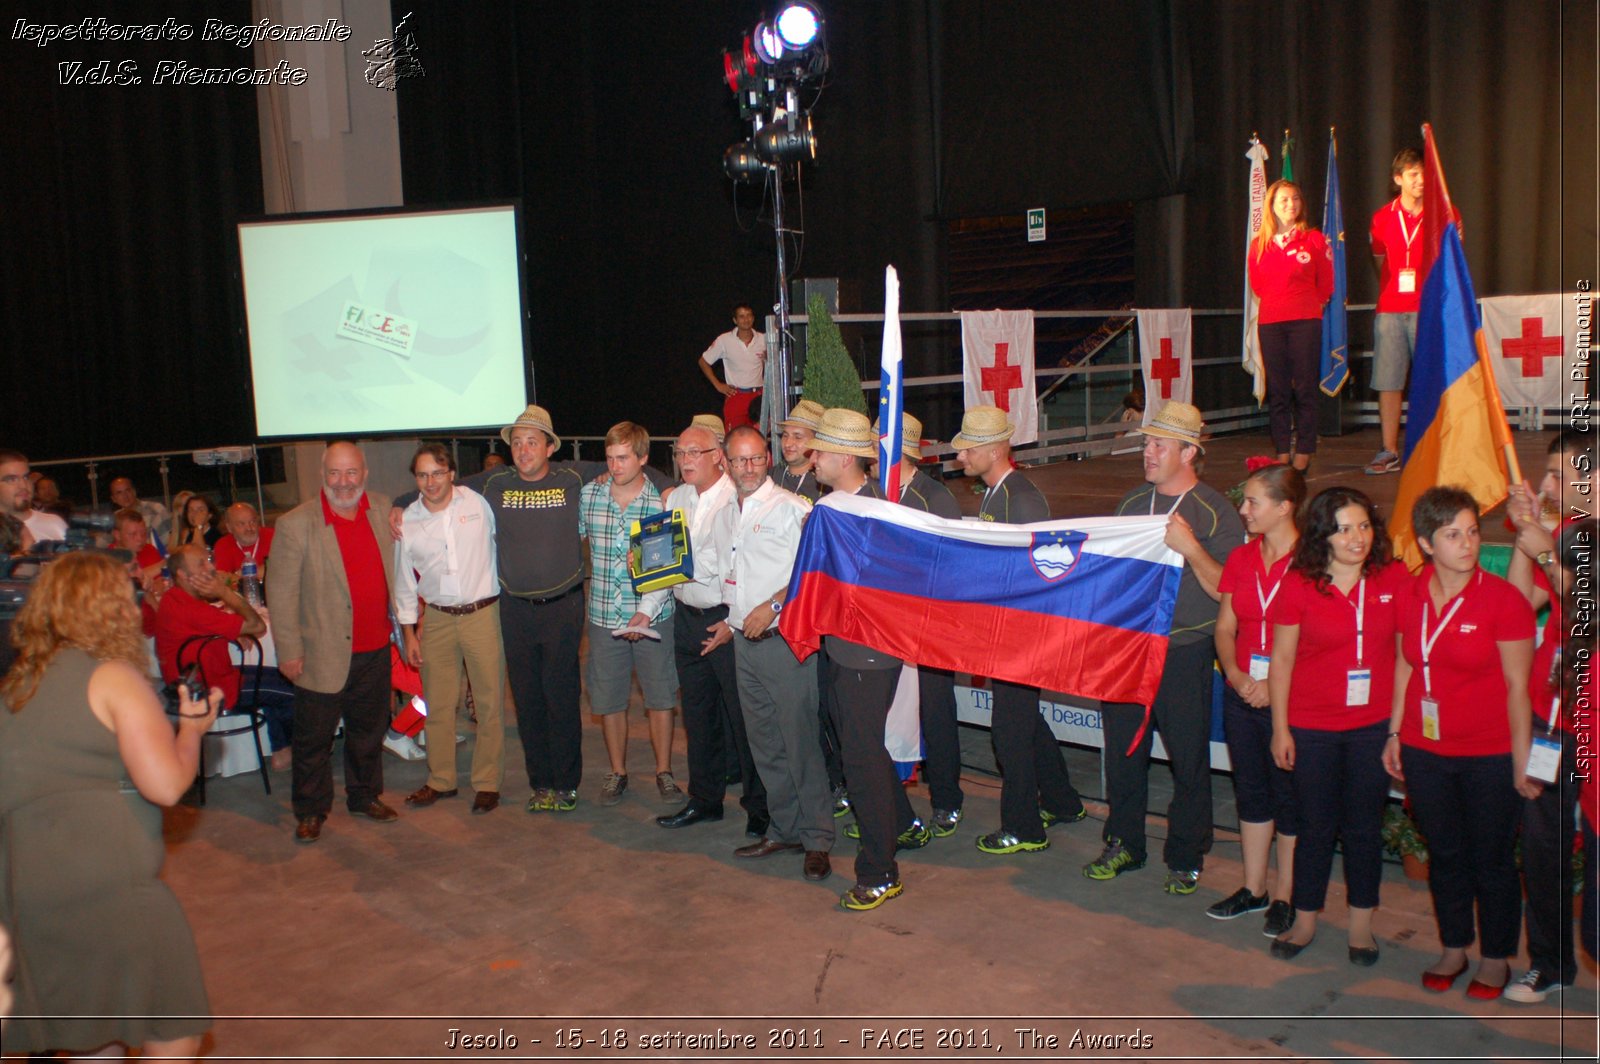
118,276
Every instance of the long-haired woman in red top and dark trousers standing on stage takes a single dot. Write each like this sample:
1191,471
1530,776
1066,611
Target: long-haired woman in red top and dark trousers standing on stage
1292,274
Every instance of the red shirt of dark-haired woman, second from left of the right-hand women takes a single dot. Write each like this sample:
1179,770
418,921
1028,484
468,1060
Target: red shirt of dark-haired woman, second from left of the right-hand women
1326,652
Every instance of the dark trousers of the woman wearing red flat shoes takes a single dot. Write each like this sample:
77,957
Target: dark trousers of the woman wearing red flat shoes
1468,810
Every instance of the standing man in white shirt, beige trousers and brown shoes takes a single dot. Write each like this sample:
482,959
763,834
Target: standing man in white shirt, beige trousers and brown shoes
447,558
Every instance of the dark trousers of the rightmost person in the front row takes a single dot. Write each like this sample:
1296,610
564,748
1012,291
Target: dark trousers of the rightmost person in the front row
1548,828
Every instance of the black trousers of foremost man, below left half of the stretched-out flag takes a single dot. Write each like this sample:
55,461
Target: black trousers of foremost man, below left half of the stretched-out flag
858,703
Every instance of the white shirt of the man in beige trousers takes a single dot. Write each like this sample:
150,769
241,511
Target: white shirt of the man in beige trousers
446,559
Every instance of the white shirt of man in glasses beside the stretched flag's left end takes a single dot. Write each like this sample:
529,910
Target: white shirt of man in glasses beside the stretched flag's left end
758,545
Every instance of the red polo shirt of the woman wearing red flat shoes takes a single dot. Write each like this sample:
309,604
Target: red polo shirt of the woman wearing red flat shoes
1463,663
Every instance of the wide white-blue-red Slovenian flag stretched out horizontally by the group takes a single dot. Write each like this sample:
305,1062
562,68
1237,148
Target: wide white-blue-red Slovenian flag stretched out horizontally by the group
1081,607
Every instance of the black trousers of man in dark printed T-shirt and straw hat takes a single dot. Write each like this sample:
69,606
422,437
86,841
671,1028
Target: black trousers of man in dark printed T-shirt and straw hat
542,660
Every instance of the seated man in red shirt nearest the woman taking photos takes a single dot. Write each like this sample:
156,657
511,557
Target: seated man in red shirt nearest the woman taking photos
202,604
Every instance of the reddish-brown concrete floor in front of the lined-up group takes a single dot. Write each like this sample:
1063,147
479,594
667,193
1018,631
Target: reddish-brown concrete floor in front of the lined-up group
382,938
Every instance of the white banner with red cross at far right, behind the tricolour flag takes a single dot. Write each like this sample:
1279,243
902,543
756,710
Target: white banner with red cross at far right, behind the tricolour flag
1524,338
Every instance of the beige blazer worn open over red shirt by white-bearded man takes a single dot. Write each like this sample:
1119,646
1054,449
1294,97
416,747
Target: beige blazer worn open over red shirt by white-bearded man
310,594
